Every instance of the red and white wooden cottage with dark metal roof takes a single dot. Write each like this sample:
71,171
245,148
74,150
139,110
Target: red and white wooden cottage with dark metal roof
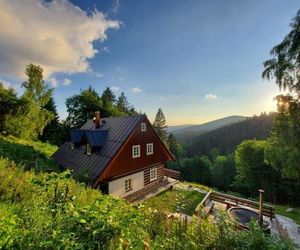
124,156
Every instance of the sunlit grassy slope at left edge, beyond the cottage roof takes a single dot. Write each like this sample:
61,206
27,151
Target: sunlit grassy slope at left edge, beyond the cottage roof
27,153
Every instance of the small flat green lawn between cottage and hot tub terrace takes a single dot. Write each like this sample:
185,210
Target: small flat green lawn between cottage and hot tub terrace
177,200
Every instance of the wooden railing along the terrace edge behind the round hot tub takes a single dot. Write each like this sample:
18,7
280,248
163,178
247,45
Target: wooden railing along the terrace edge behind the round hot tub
268,210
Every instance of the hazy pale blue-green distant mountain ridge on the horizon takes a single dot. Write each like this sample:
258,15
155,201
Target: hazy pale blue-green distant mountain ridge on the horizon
193,130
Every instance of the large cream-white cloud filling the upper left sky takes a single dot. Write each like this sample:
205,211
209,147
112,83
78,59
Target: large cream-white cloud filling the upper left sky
56,35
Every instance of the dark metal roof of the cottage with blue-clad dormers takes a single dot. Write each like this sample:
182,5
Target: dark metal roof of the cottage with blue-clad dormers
110,136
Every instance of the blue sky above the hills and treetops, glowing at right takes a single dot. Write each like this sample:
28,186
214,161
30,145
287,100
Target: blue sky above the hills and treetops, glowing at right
197,60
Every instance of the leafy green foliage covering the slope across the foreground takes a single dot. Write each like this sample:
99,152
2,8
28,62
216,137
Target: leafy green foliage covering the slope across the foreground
52,211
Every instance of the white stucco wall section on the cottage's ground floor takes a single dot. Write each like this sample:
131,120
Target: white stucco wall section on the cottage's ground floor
117,187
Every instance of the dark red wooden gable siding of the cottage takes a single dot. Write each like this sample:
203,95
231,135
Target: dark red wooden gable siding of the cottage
123,163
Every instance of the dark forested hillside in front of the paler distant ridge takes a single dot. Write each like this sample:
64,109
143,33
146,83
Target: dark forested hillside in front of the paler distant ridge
226,138
